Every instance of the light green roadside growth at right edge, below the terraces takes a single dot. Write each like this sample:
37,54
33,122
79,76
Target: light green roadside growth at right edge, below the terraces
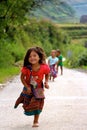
76,54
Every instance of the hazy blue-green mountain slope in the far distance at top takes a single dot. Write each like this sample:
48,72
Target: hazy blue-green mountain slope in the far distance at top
61,11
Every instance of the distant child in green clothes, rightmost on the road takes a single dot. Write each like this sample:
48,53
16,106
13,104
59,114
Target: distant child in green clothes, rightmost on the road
60,61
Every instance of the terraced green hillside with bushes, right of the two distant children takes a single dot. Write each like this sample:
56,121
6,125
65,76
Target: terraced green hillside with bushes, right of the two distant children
76,51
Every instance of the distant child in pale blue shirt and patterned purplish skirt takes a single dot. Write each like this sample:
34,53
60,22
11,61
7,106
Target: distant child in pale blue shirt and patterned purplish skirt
52,62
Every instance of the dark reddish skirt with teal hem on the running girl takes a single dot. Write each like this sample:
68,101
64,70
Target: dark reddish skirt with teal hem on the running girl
31,105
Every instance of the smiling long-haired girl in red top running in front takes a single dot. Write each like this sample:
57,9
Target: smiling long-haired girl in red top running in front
34,58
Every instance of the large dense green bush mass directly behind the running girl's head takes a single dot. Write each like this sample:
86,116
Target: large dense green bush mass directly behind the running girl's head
44,34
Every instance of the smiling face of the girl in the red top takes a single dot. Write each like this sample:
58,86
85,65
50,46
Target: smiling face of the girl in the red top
34,58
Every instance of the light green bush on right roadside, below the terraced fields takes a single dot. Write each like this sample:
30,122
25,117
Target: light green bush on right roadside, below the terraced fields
75,56
